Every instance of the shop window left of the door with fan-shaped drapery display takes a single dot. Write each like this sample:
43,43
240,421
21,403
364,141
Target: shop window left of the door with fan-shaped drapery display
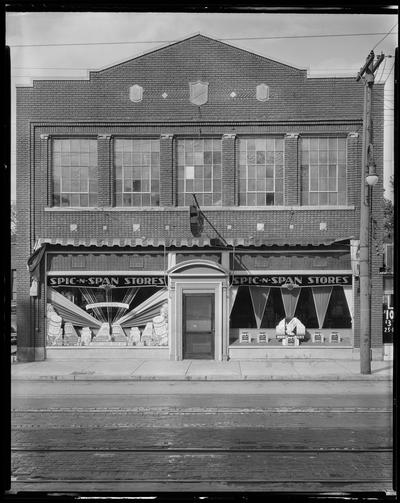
107,315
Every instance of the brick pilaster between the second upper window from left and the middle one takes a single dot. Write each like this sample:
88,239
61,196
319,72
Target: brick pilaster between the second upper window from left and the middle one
167,172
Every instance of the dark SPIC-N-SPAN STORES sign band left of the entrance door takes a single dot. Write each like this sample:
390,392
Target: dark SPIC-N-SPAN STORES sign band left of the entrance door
103,281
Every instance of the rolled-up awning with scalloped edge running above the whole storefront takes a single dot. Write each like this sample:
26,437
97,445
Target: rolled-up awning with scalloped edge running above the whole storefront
184,242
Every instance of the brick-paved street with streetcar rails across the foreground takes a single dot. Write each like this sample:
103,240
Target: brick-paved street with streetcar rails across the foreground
330,462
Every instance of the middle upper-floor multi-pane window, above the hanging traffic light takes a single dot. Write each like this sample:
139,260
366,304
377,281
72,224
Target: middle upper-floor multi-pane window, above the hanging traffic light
199,171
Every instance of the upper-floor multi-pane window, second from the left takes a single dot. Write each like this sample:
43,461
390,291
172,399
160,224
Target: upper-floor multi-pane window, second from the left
137,172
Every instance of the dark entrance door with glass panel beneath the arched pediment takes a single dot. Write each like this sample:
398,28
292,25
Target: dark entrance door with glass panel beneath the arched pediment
198,325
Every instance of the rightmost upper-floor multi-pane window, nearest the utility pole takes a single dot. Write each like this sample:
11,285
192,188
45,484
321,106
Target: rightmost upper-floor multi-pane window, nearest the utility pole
323,171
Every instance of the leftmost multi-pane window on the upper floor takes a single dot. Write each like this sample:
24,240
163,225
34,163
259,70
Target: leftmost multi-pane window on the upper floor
74,164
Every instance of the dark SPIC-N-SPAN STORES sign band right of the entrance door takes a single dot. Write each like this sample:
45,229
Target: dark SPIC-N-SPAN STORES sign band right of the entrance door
293,280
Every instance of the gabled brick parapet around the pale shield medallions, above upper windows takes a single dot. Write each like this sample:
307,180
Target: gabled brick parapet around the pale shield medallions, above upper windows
228,70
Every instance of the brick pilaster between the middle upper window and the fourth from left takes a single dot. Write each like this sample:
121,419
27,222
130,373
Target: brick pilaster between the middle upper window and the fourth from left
229,181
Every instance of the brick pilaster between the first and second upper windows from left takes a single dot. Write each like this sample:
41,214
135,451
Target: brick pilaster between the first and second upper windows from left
105,170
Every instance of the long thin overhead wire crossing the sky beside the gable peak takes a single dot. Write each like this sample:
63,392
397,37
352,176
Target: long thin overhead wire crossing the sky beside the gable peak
220,39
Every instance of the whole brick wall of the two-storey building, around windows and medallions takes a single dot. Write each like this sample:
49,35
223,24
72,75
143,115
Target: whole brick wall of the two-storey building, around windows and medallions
102,106
